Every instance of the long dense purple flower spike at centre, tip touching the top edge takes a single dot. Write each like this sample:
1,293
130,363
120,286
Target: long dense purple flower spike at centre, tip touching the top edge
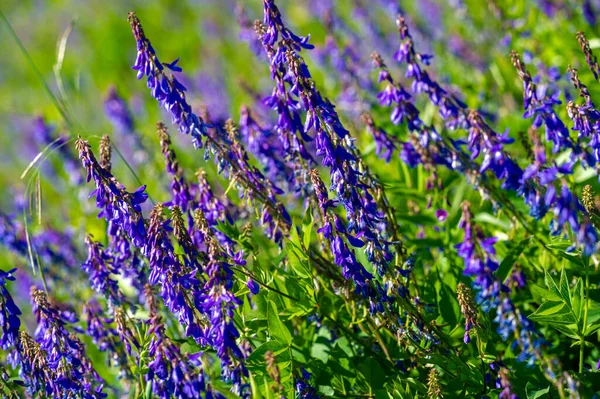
295,89
